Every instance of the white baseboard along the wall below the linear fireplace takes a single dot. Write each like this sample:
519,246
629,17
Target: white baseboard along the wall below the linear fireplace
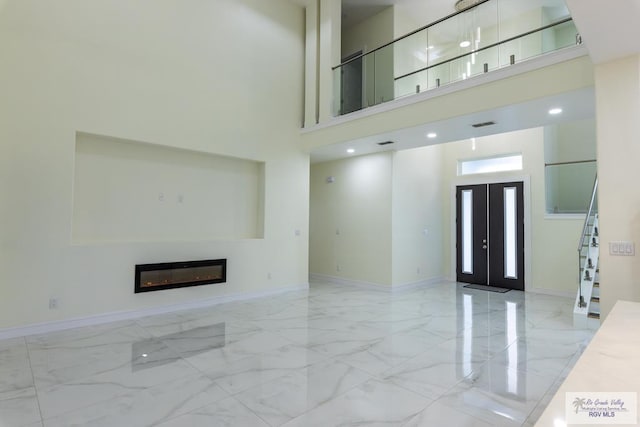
59,325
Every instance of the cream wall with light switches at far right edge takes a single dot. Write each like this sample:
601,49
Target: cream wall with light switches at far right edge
618,133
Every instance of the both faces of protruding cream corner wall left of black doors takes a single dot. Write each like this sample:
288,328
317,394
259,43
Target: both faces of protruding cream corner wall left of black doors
368,225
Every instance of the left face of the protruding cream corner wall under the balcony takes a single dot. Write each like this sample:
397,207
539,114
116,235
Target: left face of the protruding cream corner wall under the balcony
350,219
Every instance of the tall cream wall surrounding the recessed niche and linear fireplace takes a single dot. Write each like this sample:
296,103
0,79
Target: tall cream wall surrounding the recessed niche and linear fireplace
184,74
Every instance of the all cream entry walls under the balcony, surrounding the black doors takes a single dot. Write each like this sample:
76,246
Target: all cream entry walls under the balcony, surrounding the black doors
382,198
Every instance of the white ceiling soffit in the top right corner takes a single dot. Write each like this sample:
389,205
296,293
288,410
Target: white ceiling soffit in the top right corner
610,29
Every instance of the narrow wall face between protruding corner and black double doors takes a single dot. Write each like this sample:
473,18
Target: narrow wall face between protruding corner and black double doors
417,232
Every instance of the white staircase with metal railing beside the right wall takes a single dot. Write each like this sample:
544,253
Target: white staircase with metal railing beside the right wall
587,307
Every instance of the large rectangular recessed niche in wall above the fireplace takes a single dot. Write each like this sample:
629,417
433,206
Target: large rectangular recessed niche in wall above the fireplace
131,191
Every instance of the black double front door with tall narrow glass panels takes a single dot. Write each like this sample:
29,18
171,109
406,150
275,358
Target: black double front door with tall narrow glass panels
490,234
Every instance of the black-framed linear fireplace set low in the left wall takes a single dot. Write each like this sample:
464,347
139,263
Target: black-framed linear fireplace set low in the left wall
169,275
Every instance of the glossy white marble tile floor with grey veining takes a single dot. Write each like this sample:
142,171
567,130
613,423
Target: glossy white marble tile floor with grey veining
334,355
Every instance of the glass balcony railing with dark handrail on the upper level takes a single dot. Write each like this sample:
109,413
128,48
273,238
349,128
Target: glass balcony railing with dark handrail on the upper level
492,34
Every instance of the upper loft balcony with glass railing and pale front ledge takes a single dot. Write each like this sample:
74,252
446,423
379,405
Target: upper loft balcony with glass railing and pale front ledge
491,56
